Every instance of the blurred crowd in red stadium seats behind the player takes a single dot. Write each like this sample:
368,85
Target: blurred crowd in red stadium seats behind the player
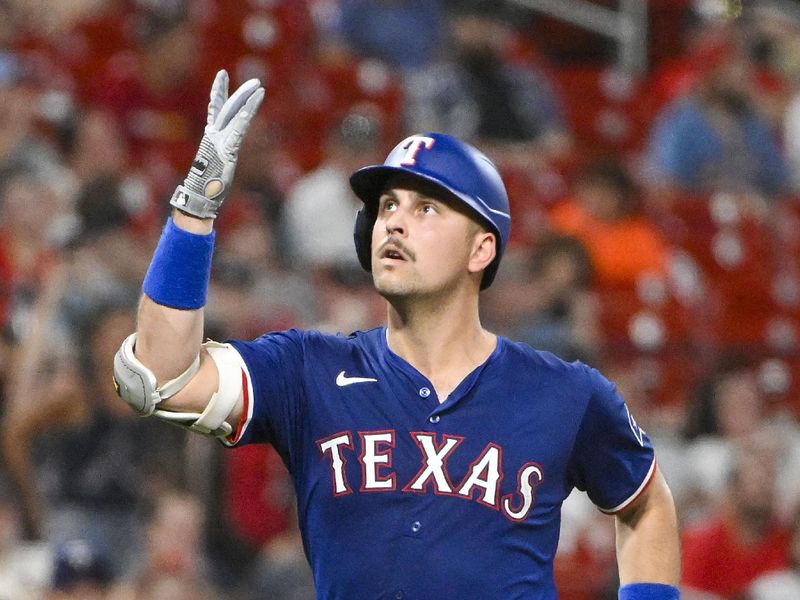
656,236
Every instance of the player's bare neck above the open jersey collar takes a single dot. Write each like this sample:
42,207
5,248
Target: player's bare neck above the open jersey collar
443,340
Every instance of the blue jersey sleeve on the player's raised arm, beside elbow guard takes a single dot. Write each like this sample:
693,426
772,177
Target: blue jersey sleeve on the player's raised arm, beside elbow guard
272,387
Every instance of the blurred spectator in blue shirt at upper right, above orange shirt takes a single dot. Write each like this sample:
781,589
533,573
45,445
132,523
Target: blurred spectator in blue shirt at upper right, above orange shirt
715,137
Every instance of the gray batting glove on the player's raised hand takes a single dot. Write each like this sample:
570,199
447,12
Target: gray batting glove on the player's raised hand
211,175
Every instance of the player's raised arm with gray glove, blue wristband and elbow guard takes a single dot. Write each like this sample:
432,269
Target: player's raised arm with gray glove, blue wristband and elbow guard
164,369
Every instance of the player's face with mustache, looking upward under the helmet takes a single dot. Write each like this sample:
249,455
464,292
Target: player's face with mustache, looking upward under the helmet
423,244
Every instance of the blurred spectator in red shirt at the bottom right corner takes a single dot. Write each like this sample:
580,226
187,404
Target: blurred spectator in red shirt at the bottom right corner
743,540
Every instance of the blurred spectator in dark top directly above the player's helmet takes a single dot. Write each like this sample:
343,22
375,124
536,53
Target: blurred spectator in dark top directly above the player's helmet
476,92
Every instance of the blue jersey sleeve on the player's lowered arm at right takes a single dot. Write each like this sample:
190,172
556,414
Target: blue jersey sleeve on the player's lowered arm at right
613,459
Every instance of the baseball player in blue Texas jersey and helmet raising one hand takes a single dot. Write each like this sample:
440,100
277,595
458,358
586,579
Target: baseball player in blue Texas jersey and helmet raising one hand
430,457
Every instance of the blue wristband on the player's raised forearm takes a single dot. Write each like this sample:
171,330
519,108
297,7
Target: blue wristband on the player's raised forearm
181,267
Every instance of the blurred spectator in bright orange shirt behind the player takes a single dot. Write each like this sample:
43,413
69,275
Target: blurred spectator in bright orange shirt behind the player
603,214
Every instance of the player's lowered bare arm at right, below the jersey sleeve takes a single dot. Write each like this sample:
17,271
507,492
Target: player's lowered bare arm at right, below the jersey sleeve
648,553
